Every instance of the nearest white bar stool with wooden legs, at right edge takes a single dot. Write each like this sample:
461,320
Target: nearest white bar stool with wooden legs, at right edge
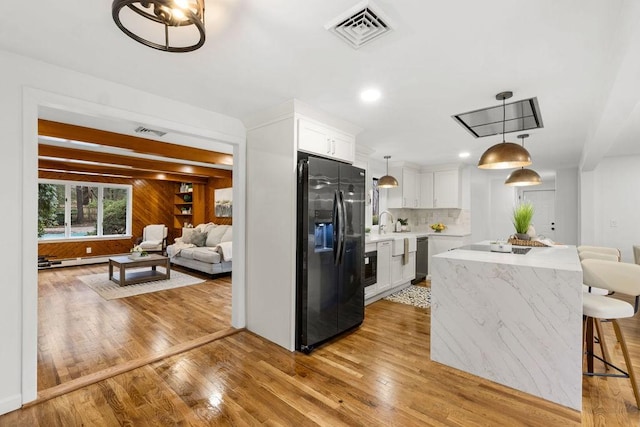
618,277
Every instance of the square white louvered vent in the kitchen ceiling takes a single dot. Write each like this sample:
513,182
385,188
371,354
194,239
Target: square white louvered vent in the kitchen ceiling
359,25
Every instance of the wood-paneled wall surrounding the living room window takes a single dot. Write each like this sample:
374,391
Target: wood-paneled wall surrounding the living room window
152,204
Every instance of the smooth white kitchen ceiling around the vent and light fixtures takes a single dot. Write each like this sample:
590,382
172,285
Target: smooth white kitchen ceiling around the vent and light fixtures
578,57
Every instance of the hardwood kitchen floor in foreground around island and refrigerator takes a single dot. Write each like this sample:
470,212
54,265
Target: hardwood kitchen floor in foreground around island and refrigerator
379,374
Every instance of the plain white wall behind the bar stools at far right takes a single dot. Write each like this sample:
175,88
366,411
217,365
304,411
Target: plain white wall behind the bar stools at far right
610,205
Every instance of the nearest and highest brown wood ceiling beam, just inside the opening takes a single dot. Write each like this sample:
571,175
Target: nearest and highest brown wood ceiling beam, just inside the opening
136,144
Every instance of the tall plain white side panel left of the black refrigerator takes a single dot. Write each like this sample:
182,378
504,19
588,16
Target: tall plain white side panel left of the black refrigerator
271,219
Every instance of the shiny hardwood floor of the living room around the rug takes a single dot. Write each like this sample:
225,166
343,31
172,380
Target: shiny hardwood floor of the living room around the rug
79,333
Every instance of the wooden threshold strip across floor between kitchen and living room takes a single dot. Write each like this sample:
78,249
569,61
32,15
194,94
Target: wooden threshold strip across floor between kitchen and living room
112,371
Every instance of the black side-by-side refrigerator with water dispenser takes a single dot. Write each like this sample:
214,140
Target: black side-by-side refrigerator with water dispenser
330,250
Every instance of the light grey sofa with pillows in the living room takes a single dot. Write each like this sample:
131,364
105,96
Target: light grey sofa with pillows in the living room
206,248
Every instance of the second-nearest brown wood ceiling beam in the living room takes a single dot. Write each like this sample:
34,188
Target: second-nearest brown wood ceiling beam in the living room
155,166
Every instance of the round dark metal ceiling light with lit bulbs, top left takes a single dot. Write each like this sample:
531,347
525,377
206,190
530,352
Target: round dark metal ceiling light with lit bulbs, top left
178,17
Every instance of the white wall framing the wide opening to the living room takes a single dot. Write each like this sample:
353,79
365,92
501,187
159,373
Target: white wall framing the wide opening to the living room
25,85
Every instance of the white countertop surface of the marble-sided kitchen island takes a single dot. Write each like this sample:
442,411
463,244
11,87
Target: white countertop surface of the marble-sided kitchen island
560,257
